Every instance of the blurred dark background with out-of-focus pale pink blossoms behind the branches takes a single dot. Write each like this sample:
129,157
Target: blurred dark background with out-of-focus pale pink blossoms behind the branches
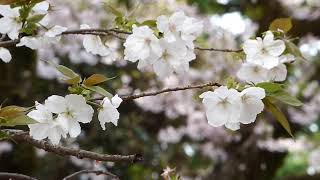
171,130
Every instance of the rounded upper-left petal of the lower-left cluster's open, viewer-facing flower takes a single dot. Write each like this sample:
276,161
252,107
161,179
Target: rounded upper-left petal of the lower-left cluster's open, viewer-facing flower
56,104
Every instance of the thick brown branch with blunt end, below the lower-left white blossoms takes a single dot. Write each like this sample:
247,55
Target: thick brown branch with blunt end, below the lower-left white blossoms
22,136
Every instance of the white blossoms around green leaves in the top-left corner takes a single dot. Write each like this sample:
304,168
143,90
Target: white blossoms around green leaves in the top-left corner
11,23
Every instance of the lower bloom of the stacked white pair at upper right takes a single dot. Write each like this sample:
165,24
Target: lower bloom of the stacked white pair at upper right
252,73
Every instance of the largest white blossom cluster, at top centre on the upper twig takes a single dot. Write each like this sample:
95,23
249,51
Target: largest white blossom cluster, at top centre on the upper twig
172,52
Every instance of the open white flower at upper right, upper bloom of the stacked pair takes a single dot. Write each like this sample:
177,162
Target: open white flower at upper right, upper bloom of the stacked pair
264,52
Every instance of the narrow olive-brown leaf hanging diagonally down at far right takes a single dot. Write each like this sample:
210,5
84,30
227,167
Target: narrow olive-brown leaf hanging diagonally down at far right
280,117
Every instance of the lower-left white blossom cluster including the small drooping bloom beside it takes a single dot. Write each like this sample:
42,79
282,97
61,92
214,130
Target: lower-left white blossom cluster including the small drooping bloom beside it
60,116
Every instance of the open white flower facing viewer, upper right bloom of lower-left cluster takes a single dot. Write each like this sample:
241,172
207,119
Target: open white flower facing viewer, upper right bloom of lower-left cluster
71,110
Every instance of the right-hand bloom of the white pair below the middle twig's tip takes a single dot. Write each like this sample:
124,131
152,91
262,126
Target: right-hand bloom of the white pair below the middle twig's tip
251,104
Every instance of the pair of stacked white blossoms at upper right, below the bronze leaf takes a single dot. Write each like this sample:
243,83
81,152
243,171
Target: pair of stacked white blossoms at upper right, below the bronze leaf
264,60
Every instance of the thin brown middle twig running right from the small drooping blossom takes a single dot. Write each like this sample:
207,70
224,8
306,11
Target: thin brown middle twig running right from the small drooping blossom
136,96
